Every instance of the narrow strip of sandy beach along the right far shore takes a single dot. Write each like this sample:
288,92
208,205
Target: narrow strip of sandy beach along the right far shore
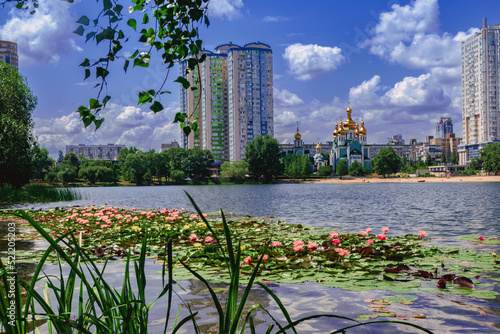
495,178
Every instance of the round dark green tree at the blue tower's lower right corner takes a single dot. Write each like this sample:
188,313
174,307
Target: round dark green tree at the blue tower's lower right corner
262,154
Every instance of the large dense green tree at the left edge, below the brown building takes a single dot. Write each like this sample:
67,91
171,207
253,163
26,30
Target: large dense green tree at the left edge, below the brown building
16,124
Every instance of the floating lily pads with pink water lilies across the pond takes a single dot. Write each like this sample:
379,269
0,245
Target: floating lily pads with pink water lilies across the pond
296,253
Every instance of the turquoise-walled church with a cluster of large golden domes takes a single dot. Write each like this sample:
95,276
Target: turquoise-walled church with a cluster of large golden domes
349,143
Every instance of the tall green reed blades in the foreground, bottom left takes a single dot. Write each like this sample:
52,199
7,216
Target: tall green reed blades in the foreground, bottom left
102,308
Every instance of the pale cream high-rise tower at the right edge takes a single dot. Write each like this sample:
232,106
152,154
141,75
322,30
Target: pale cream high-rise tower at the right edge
480,91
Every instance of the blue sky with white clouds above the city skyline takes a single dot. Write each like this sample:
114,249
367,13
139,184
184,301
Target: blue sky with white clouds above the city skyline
397,62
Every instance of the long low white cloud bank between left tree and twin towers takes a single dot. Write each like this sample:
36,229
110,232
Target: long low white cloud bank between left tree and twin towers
126,125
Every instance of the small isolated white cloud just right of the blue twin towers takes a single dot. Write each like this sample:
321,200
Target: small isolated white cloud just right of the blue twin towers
308,61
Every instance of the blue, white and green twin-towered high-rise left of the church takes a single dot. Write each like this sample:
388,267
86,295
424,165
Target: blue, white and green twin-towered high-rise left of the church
235,102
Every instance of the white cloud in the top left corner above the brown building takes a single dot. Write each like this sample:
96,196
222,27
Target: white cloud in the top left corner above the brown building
43,37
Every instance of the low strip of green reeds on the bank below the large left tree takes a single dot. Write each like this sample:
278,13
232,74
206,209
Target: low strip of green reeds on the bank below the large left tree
36,193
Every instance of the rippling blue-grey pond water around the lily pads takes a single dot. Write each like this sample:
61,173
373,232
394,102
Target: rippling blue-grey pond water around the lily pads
446,211
